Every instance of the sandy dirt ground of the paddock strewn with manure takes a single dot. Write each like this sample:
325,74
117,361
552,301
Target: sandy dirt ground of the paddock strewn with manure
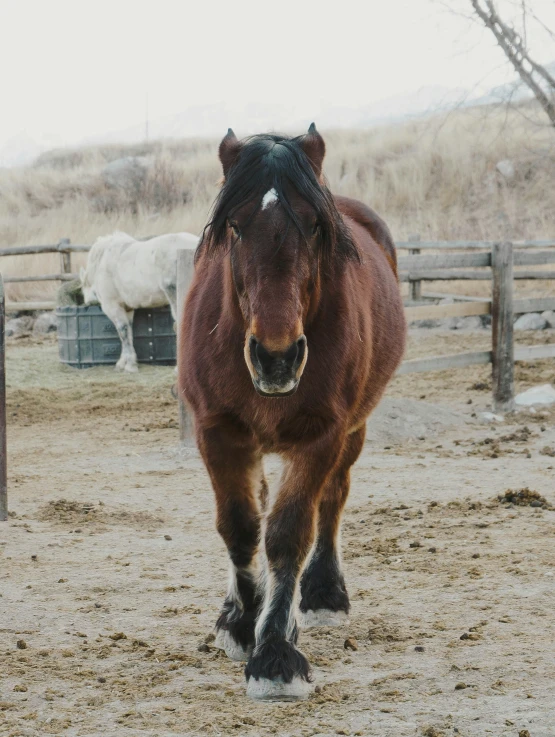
111,571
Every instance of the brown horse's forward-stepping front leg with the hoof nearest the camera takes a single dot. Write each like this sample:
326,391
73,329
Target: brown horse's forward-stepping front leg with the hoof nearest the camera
276,670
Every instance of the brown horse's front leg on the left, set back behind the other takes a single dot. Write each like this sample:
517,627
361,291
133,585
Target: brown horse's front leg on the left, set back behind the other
235,467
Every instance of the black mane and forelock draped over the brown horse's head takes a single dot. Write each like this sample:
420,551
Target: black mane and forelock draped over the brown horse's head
277,162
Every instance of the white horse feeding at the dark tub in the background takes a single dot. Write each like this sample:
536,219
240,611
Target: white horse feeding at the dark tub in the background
123,274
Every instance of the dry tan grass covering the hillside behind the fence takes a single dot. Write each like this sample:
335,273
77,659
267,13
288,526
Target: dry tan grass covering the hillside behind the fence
436,177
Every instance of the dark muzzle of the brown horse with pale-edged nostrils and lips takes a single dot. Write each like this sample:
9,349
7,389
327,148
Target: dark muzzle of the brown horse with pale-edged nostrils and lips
277,374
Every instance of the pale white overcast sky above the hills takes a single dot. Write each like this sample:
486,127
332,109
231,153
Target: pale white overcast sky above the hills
81,68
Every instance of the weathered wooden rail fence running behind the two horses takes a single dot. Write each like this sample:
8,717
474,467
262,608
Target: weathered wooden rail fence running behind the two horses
481,260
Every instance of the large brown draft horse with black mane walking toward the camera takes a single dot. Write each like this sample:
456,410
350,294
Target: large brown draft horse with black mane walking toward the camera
292,328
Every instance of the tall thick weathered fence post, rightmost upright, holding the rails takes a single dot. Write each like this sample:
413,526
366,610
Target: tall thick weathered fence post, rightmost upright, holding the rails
502,327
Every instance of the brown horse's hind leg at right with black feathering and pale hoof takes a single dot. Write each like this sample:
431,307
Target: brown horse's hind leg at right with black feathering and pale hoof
324,598
